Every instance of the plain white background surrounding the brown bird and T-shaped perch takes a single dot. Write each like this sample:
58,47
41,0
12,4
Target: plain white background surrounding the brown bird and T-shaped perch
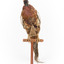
13,50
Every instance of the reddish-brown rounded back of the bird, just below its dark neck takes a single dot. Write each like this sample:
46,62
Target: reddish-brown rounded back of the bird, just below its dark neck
29,14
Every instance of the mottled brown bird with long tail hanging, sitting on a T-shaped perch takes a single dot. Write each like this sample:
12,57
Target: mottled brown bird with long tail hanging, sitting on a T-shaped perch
31,23
